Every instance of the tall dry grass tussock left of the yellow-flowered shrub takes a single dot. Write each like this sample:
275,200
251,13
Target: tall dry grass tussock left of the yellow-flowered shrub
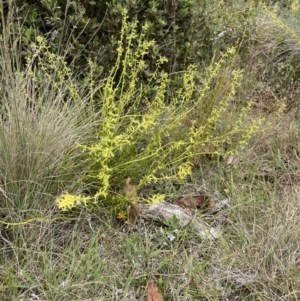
41,123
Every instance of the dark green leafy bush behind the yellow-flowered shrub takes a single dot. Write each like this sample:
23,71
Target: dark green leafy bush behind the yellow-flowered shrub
82,29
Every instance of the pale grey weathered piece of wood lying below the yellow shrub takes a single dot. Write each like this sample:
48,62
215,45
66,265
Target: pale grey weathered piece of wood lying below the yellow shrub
165,211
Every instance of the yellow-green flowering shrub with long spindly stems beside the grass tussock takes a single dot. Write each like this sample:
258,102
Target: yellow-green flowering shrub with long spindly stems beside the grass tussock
142,137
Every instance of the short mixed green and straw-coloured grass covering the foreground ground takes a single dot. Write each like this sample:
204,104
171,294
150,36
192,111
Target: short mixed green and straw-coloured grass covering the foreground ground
94,258
